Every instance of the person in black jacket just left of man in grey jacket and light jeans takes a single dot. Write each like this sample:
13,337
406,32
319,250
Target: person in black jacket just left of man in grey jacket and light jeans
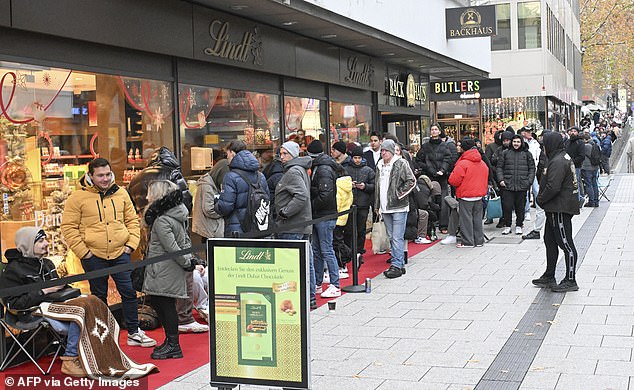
363,196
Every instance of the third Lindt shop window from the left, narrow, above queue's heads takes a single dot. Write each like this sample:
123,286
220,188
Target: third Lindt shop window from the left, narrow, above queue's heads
304,119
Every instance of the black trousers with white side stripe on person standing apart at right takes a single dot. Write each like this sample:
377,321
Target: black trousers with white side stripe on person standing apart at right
558,234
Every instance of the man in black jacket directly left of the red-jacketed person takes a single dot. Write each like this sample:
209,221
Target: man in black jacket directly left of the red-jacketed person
433,159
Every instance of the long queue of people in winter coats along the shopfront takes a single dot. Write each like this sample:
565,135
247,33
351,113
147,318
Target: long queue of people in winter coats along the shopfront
437,188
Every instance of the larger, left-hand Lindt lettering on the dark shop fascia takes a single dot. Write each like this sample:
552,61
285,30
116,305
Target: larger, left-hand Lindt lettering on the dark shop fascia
250,46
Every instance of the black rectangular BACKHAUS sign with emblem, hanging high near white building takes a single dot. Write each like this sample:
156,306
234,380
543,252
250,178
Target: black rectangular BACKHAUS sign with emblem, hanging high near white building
470,22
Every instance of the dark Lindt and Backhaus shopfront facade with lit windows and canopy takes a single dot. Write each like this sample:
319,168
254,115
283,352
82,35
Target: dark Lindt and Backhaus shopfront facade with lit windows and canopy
120,79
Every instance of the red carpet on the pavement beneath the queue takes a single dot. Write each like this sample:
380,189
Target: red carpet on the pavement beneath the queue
196,346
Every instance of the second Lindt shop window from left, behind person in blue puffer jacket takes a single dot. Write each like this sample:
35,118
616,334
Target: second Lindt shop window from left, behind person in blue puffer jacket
212,117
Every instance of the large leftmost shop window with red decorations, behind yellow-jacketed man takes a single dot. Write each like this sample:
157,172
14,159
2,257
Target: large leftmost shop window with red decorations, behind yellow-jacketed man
54,121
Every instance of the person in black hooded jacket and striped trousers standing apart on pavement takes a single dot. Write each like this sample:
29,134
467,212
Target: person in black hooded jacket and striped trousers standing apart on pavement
558,197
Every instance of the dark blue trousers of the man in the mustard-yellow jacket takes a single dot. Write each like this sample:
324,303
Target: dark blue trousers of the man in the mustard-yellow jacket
123,281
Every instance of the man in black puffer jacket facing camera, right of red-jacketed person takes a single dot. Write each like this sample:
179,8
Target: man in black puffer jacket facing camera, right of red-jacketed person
515,174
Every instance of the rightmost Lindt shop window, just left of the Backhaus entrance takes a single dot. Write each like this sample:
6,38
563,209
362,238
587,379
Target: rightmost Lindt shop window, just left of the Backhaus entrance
350,122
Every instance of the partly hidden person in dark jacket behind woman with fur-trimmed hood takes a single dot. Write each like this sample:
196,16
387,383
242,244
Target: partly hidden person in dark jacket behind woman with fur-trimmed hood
163,165
